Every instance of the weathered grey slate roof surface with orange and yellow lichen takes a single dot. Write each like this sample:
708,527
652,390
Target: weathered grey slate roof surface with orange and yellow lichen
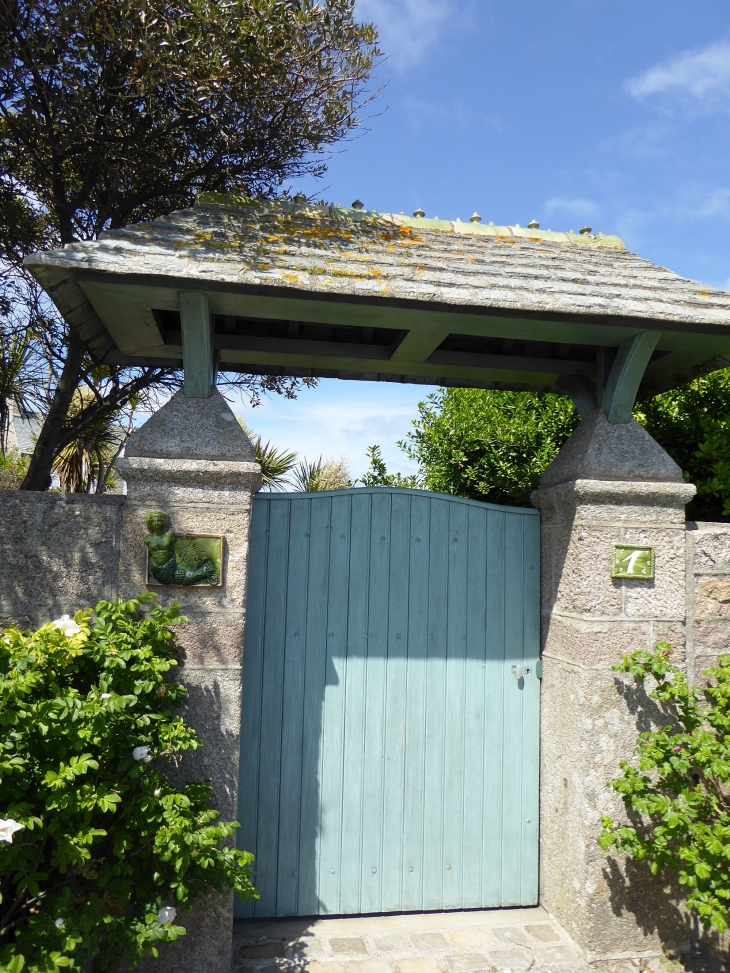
341,251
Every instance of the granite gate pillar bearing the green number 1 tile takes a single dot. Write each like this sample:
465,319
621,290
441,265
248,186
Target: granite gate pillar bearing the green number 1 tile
610,483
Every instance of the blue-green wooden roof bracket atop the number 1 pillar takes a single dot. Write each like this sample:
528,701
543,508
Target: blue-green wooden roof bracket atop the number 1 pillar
617,394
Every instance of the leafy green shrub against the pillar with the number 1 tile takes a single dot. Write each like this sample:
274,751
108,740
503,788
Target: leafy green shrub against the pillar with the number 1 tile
677,796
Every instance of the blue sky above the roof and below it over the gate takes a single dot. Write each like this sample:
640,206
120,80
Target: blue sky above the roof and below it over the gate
614,113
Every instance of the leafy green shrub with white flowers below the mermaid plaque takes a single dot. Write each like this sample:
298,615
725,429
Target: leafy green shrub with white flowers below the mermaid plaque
97,849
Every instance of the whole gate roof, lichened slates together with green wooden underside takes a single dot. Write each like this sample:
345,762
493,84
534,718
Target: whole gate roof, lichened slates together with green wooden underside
328,291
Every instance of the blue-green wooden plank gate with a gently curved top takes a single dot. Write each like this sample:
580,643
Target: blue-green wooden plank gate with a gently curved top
389,749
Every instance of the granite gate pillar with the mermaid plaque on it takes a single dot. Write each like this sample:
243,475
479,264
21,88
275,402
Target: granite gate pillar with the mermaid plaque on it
193,461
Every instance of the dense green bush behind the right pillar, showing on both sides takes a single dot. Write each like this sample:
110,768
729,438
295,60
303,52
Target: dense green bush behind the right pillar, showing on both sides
494,446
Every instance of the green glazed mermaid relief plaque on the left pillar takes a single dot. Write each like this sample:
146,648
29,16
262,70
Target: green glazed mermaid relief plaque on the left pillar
181,559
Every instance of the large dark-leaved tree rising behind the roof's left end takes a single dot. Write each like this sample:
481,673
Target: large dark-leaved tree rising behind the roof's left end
114,111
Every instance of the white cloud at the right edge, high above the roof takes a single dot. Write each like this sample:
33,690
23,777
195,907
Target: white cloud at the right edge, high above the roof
700,77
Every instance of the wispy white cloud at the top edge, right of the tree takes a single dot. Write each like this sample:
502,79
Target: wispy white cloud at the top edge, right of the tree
407,28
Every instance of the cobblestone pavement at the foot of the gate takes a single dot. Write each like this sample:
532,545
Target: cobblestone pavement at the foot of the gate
509,940
